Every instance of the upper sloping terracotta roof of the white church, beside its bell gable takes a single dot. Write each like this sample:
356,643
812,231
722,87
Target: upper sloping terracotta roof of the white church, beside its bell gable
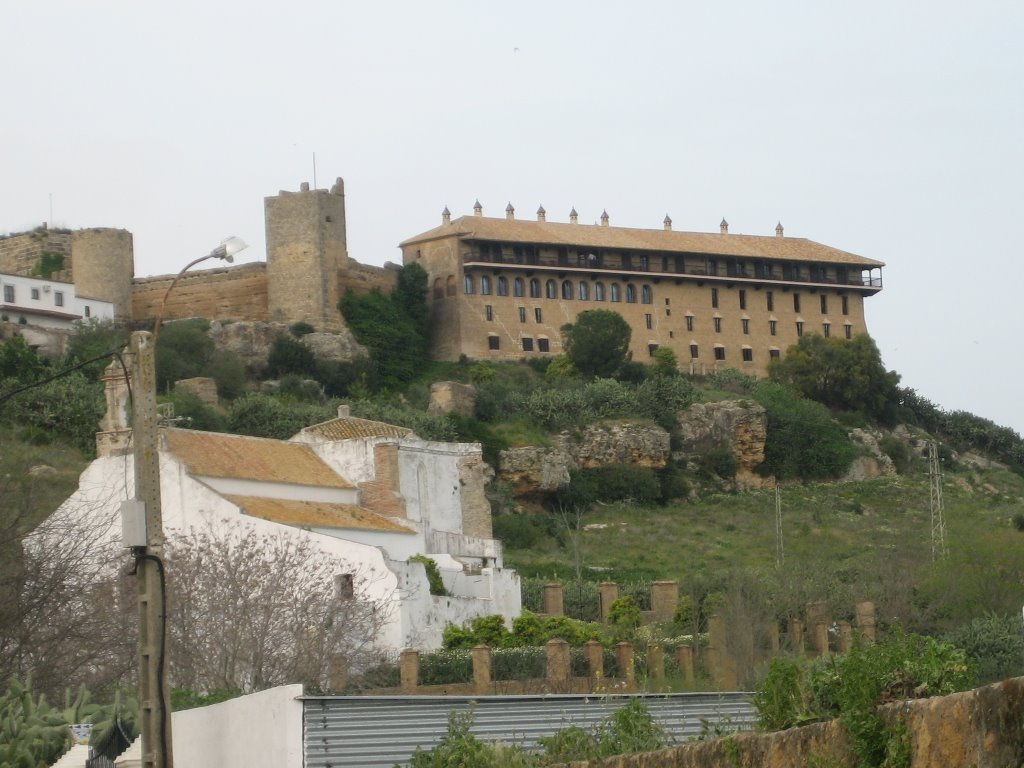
217,455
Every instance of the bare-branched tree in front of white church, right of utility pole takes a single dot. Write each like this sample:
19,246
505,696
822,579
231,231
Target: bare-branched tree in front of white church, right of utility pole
248,611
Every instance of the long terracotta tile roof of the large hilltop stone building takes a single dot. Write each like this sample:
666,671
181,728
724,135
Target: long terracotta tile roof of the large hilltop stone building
626,239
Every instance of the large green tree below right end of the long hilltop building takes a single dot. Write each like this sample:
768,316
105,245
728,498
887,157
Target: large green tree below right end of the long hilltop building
844,374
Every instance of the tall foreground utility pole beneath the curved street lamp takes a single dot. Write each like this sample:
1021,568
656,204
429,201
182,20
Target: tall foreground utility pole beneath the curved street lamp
155,700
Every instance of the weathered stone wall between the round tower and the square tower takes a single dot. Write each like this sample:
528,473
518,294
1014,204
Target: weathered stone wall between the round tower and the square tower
228,293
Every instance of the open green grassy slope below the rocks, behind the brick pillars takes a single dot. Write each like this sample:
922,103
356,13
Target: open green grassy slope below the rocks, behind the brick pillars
842,542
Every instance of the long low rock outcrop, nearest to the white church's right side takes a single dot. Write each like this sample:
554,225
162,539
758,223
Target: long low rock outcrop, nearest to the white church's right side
533,471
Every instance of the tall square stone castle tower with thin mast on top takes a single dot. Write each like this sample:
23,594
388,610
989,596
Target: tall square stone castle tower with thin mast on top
307,249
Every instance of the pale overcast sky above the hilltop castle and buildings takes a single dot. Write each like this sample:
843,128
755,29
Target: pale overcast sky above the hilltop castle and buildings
889,130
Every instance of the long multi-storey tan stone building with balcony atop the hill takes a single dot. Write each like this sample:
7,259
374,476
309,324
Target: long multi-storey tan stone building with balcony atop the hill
503,288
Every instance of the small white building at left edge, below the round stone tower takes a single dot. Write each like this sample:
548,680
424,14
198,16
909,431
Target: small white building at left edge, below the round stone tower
48,304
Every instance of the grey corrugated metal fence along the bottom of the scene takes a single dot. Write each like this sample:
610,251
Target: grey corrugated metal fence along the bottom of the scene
369,732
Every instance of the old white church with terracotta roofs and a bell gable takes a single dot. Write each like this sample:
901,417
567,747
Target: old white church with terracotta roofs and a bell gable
370,494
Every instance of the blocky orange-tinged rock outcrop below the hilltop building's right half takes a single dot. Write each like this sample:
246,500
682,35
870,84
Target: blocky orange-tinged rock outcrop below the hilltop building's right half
738,426
